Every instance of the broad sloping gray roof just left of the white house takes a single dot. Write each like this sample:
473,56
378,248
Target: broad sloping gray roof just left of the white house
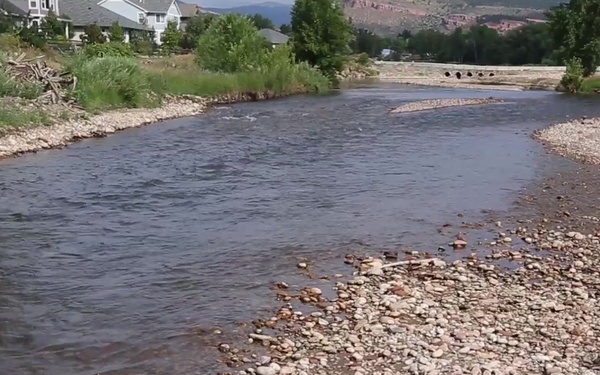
87,12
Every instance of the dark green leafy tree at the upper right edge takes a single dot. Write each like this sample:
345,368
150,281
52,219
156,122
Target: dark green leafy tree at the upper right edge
576,28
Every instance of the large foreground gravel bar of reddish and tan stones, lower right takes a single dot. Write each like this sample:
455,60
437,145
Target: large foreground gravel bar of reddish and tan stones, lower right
429,317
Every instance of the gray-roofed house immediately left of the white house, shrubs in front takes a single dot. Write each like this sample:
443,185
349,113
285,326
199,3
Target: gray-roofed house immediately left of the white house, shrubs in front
87,12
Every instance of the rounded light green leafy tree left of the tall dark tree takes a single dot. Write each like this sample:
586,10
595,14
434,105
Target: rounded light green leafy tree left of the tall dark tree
231,44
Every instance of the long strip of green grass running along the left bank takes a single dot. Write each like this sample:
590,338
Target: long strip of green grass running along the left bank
120,82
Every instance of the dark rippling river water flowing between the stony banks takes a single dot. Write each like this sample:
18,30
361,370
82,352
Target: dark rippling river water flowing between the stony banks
118,255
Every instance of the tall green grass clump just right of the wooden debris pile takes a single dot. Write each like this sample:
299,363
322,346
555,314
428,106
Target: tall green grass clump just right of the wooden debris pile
110,82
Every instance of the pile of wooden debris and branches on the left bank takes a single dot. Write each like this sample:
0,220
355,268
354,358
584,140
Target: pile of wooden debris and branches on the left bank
55,85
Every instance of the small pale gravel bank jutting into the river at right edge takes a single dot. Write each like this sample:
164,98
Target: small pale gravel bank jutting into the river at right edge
578,139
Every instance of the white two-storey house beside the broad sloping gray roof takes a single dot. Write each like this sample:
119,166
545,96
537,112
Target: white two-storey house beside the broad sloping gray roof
155,14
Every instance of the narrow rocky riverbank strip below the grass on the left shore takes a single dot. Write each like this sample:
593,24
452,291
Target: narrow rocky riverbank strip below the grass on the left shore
81,125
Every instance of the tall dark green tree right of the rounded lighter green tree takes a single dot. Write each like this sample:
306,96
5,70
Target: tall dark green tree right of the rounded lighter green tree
321,34
